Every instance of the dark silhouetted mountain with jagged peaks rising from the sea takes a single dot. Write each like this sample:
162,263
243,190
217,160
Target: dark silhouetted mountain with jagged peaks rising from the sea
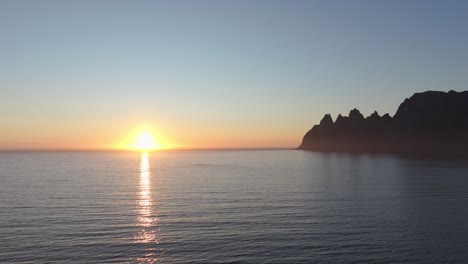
428,122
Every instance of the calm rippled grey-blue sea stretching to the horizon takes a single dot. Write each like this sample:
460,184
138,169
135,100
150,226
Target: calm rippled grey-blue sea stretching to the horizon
231,206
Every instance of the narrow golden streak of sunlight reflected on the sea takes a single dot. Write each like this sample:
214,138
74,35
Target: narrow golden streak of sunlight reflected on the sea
146,219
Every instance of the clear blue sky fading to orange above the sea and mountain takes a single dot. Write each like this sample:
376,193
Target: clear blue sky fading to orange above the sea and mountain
213,74
